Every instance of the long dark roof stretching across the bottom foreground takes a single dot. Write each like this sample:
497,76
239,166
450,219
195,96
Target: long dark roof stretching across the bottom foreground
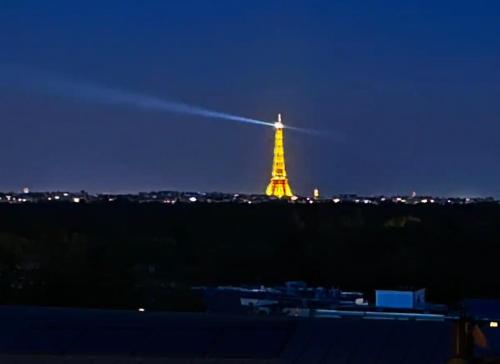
55,335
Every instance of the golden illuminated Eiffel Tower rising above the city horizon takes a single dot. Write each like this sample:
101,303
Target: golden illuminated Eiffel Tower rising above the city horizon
278,186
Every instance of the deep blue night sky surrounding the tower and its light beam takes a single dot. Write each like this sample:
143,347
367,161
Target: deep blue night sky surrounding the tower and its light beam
413,86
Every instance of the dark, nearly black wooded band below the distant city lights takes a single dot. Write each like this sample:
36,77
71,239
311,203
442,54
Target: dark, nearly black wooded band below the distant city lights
128,255
